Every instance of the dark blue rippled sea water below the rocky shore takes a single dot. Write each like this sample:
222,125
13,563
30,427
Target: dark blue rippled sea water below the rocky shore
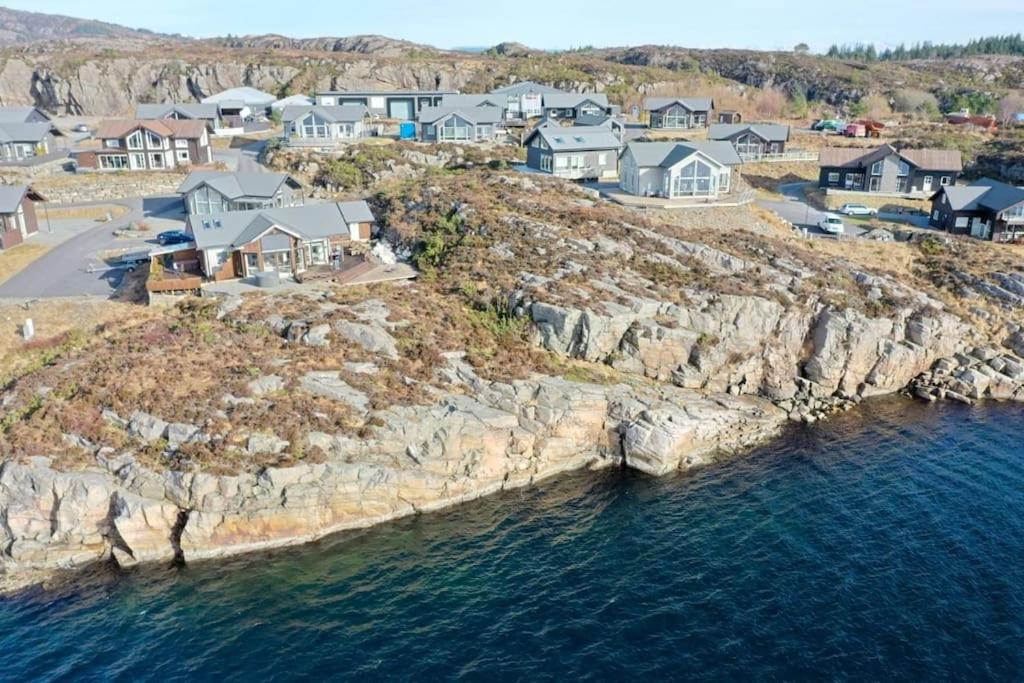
885,544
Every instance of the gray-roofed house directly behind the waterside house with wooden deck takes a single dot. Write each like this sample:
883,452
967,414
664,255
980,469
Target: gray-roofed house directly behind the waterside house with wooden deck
218,192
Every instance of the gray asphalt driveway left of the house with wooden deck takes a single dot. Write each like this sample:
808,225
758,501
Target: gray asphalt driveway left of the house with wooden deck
83,261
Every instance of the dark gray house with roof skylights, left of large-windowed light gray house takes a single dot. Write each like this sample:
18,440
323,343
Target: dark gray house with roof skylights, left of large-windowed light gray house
578,153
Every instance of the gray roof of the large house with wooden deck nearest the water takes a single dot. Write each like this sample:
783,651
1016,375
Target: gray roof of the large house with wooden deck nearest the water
309,222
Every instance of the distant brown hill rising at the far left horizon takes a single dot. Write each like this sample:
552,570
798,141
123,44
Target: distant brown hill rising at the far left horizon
20,28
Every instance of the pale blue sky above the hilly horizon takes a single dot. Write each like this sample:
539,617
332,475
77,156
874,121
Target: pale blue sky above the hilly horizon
560,25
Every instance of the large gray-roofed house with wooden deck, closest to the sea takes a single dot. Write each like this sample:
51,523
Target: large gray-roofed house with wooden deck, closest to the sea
289,240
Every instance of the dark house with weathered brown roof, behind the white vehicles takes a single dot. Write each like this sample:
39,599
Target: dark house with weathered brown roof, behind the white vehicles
888,170
